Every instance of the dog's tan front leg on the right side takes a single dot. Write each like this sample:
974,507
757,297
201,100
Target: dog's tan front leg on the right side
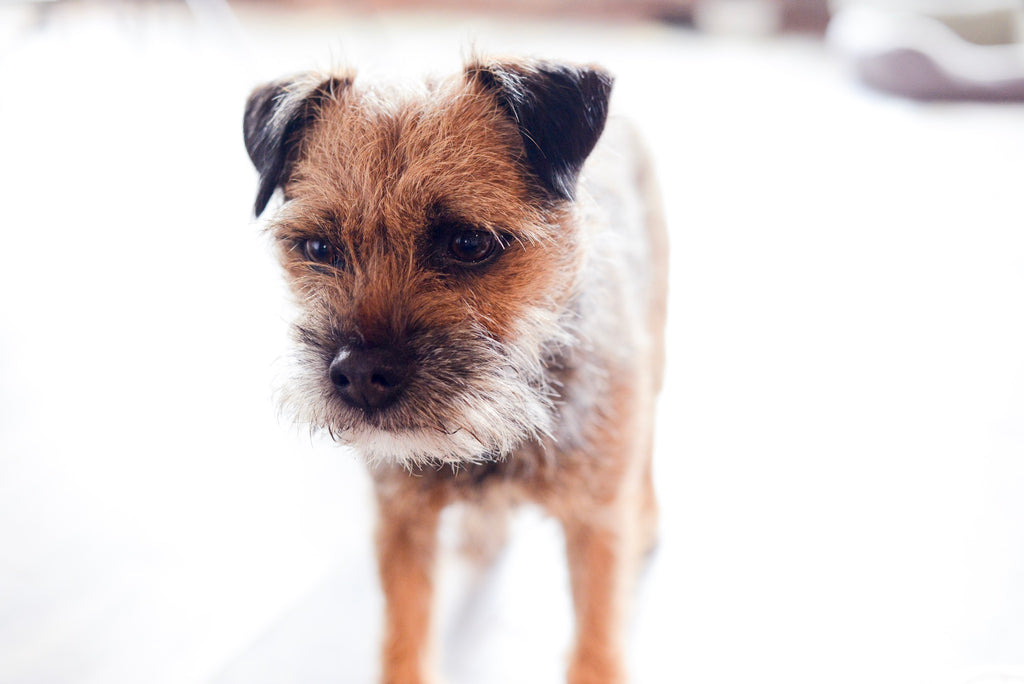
600,553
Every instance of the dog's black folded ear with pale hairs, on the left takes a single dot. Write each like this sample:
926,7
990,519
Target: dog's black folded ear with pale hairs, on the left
277,116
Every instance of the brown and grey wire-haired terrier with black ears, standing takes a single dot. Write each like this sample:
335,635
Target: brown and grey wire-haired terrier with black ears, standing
480,266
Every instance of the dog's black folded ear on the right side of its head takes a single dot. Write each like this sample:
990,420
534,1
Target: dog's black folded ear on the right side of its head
561,112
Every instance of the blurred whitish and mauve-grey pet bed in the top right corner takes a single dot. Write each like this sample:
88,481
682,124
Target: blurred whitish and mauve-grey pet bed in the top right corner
934,50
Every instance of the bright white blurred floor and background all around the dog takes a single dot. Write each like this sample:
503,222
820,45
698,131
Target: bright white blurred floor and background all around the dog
841,447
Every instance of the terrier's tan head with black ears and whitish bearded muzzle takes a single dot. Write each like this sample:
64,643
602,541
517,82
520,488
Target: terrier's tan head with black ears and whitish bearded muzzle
430,239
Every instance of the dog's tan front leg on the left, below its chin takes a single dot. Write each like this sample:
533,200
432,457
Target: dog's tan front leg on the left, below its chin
407,542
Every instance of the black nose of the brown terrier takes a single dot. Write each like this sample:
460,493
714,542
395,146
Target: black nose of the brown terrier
369,378
